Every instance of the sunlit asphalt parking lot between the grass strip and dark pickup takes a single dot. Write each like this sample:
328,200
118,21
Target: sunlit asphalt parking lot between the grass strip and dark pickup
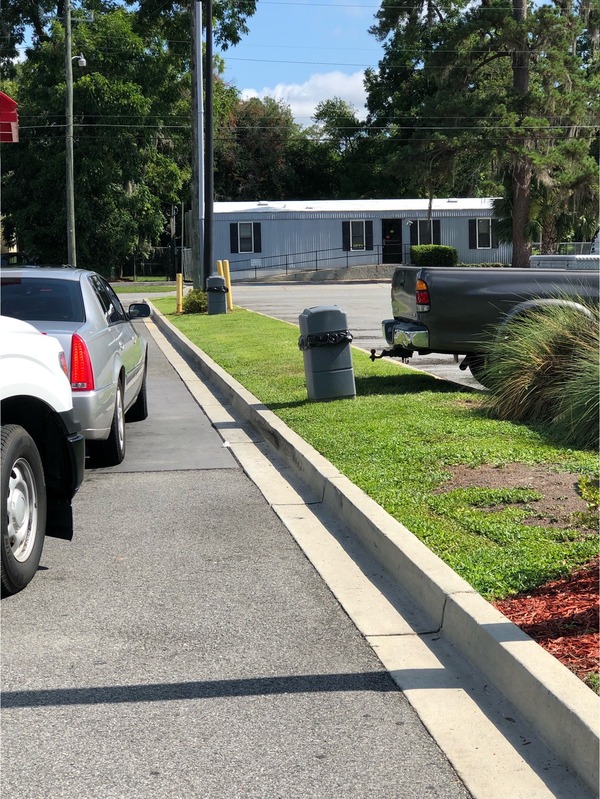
365,304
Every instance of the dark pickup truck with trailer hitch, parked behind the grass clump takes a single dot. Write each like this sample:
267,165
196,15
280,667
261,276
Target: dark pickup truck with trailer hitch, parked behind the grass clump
457,310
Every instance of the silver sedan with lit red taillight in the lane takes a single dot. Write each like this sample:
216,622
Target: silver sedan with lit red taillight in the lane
107,357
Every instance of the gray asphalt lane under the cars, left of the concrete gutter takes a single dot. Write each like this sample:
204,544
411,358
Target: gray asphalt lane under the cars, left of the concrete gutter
182,646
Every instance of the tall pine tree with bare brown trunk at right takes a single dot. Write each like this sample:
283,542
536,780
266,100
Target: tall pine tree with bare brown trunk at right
490,90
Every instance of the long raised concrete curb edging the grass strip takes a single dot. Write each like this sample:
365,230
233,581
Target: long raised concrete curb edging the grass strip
561,708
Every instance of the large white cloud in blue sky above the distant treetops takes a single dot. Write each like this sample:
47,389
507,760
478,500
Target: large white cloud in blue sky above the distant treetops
303,98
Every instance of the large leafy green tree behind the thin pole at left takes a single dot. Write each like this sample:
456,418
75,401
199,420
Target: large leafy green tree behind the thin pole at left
127,169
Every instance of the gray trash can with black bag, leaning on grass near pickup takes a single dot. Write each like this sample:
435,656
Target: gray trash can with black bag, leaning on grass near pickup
325,344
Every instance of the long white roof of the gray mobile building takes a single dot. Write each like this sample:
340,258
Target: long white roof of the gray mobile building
372,206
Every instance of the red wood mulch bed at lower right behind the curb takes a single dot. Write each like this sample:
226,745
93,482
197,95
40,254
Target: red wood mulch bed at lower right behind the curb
562,616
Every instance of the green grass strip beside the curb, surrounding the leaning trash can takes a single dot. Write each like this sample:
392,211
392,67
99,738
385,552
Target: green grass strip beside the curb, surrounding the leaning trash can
398,439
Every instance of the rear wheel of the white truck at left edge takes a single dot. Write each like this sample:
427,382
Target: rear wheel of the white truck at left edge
24,511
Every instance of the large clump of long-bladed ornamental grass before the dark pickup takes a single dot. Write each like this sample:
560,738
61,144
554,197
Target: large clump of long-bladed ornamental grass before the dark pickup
544,368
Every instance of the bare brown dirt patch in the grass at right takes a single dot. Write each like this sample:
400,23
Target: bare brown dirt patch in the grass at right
560,499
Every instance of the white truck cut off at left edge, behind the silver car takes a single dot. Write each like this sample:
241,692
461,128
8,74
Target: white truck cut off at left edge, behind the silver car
42,449
